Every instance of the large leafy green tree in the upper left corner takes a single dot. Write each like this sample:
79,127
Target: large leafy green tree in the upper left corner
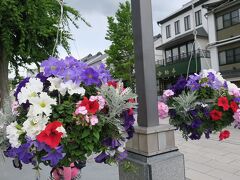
28,31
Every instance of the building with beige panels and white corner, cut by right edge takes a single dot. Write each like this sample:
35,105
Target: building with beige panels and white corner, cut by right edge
224,37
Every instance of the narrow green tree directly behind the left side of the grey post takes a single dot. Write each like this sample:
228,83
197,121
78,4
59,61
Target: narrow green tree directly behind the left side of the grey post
121,52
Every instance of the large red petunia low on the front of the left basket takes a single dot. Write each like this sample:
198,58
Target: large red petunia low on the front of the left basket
50,135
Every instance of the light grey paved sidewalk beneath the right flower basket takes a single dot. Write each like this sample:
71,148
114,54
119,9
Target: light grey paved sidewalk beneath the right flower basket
211,159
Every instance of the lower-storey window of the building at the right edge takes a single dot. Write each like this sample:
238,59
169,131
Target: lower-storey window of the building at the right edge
229,56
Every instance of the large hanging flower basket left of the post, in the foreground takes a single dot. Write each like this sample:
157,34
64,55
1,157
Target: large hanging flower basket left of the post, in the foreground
66,113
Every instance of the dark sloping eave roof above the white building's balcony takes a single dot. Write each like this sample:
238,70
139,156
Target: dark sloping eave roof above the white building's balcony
201,32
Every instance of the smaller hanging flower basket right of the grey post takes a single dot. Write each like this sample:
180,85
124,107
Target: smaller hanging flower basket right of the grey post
203,104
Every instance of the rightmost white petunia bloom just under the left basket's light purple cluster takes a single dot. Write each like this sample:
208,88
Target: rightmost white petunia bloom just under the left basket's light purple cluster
73,88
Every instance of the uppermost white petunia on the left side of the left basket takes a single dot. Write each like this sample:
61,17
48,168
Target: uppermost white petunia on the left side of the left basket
31,90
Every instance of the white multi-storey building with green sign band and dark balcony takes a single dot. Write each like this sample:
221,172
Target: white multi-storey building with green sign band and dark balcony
178,31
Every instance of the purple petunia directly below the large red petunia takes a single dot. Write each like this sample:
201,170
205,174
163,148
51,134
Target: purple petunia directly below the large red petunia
54,156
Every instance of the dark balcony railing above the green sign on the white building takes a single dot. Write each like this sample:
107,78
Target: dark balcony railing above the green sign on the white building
183,57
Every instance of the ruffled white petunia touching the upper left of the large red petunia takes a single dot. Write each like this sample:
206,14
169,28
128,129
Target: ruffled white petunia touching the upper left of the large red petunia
34,125
